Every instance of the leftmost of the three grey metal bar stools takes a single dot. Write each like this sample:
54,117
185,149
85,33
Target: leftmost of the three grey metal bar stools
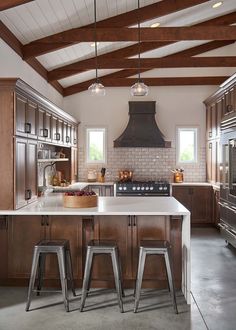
62,249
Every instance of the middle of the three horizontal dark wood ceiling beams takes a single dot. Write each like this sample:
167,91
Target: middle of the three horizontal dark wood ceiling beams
164,62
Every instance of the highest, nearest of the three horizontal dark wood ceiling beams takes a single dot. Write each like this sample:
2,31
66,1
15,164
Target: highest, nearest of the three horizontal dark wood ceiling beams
146,35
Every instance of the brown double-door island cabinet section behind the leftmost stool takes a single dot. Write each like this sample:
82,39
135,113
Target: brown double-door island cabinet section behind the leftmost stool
24,232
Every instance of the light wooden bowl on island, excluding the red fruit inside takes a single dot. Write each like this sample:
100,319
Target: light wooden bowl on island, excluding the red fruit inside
80,201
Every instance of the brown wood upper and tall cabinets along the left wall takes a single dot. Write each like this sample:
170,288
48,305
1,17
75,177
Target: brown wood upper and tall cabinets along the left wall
25,118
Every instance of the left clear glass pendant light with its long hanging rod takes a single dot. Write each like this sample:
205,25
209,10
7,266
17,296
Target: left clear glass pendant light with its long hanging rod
96,88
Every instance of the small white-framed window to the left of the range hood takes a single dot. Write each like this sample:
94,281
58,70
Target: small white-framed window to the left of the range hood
96,145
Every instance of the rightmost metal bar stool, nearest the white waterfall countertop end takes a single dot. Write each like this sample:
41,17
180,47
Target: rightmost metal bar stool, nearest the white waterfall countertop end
154,247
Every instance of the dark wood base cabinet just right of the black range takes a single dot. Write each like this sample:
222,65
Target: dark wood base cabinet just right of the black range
198,200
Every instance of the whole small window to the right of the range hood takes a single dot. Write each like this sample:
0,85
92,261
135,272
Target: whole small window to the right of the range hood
187,145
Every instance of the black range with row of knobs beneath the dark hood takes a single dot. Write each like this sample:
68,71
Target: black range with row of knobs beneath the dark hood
143,188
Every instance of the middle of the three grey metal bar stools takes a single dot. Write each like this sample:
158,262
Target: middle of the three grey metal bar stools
102,247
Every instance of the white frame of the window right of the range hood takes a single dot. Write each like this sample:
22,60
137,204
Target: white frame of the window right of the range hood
196,144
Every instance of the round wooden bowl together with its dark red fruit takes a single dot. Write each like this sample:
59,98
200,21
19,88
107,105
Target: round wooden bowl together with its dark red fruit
80,199
